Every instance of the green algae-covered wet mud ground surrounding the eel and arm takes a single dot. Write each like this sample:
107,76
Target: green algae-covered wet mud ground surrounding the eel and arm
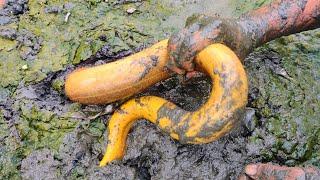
44,135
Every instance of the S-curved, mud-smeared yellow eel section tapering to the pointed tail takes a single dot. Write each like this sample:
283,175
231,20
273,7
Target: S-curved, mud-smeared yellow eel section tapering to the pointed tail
214,119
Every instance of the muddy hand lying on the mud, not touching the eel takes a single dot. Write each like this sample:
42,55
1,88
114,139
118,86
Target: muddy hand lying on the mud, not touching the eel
270,171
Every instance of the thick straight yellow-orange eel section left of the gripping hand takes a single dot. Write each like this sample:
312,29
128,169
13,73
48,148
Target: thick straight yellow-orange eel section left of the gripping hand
120,79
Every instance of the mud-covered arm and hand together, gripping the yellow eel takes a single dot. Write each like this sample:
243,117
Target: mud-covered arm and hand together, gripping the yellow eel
281,18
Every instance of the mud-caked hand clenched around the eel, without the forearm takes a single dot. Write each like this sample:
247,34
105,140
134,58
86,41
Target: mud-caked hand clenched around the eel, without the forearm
200,31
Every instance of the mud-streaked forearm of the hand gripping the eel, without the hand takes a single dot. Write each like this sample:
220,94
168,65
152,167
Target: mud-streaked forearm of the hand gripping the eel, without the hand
281,18
